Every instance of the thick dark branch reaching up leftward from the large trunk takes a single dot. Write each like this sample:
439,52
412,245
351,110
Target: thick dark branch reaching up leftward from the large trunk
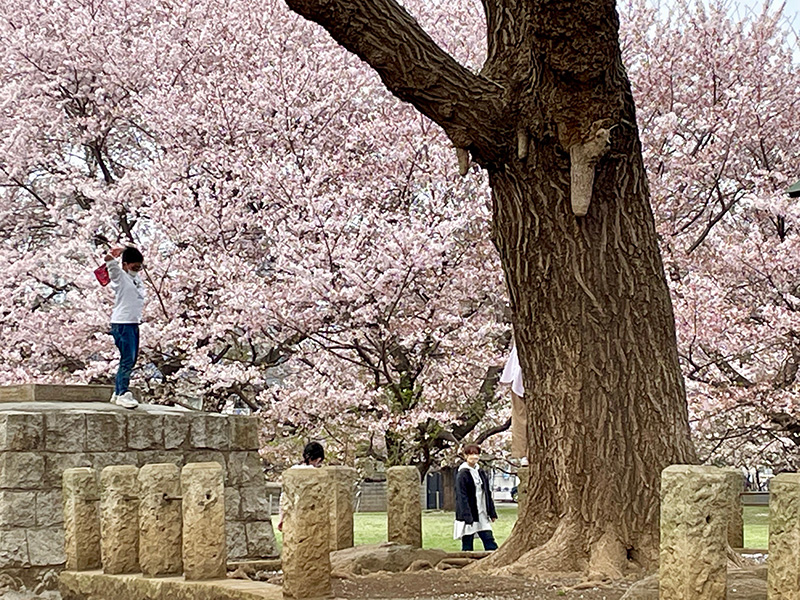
414,68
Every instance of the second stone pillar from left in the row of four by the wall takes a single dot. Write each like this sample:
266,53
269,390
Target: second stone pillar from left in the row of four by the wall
119,519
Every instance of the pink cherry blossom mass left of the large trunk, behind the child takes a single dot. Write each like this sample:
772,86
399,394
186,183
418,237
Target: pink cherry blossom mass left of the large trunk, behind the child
309,249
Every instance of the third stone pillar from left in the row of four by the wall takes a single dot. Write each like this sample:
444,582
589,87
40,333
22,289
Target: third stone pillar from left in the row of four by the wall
160,520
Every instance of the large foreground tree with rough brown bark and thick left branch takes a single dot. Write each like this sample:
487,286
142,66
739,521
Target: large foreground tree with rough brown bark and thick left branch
592,314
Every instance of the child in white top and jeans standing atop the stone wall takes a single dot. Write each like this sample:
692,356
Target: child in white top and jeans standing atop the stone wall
125,318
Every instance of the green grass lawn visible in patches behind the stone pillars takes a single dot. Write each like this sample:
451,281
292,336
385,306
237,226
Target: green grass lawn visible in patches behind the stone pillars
437,528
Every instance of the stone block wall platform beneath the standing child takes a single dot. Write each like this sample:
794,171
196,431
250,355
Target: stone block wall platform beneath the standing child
38,440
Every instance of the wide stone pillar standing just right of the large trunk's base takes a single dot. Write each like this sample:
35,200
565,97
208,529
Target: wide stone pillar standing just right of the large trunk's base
694,532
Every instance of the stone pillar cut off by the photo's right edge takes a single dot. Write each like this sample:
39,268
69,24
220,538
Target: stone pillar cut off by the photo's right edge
783,575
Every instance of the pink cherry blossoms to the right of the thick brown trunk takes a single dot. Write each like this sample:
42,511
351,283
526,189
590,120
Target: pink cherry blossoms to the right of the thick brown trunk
719,120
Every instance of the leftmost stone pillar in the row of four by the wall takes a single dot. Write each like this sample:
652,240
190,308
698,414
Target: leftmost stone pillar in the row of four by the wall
81,519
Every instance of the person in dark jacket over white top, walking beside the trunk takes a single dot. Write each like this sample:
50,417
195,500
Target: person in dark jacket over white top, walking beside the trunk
475,510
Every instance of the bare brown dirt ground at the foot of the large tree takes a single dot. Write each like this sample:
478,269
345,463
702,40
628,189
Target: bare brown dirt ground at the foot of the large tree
459,585
